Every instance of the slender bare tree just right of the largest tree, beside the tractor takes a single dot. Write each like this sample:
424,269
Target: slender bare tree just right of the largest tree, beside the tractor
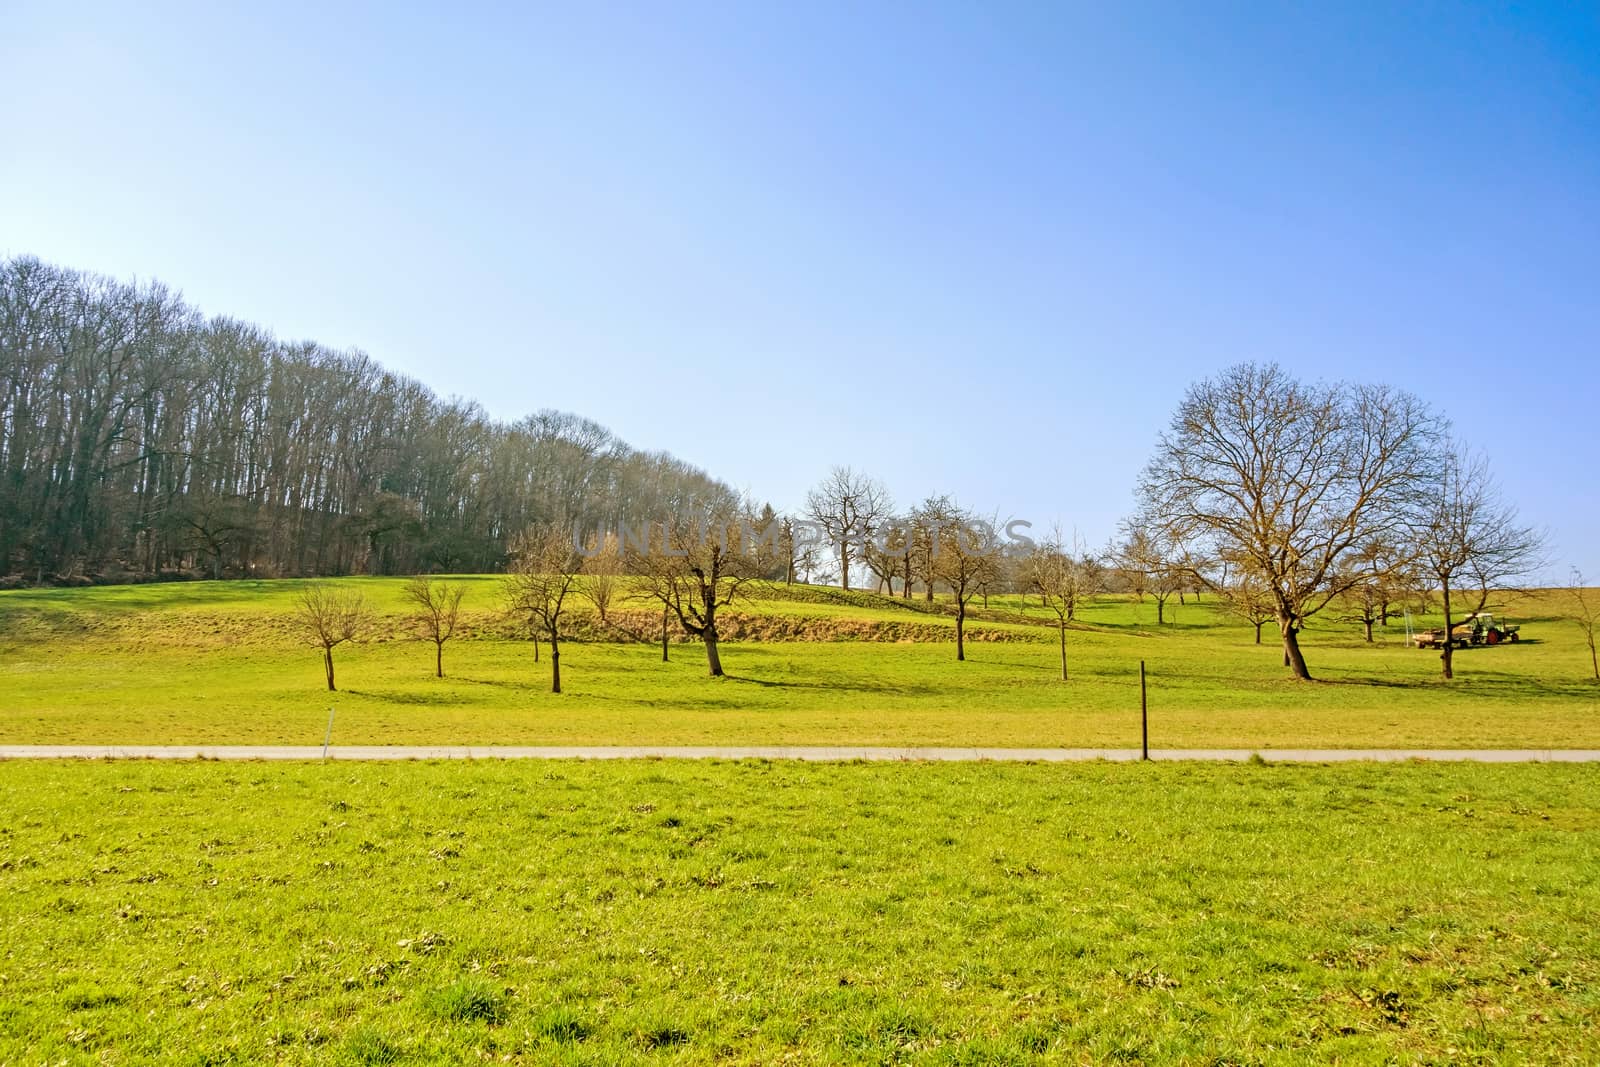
1468,540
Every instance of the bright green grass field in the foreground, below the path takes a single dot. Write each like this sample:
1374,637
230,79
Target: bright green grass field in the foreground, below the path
778,913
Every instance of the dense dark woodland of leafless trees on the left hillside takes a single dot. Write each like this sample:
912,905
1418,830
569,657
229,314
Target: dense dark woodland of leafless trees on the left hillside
140,439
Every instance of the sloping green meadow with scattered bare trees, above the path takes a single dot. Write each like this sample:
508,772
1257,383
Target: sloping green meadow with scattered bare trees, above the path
222,663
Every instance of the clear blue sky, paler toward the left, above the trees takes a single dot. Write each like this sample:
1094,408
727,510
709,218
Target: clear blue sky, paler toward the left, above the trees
969,249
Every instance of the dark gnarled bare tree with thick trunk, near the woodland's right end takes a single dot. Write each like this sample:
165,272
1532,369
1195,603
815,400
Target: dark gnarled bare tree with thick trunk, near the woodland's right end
698,567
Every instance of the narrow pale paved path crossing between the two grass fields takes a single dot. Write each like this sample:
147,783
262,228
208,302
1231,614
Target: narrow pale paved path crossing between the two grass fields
770,753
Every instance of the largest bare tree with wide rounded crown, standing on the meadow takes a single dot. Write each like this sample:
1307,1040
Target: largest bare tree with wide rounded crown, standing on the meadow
1290,481
